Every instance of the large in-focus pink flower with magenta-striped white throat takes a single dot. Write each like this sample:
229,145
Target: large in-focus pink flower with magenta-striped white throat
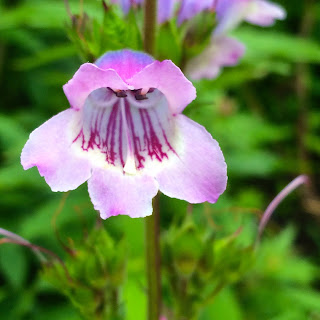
125,134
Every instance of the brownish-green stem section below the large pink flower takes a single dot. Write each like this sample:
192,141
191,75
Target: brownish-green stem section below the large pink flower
153,261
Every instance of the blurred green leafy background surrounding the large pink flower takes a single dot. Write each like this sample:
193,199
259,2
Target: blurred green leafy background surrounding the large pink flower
264,113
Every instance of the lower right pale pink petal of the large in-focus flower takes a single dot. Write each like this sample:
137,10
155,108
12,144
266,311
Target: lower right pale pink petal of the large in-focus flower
199,172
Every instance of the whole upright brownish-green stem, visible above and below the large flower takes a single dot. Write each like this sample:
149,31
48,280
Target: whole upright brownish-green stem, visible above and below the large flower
152,224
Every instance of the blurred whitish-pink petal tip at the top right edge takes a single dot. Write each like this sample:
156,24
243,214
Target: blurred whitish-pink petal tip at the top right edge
264,13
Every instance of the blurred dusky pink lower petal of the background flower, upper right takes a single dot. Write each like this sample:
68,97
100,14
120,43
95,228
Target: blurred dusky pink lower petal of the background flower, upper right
222,52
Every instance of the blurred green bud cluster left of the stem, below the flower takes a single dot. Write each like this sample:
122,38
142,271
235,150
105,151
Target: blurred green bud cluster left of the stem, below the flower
90,278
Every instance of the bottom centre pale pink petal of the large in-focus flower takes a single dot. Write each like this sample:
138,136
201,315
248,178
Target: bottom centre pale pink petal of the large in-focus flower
114,193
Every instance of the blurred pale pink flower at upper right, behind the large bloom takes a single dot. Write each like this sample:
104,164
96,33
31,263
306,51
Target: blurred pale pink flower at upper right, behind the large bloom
224,50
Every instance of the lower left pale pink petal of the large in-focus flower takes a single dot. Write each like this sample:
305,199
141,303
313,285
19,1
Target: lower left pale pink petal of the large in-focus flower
49,148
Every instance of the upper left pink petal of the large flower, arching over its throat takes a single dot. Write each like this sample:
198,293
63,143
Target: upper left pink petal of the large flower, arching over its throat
88,78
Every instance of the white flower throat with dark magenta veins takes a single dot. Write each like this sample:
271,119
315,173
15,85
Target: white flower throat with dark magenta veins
125,128
